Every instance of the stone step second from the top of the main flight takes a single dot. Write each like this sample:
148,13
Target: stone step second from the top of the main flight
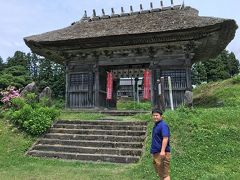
103,127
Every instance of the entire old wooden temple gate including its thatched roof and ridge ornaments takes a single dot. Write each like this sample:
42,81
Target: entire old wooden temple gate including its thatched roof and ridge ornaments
165,40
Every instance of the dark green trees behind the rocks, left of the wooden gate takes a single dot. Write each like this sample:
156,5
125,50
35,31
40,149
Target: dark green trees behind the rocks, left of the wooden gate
21,69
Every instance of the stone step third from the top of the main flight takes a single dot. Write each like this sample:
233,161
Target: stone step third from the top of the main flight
97,132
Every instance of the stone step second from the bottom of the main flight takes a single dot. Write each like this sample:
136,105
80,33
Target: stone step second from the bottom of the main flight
89,150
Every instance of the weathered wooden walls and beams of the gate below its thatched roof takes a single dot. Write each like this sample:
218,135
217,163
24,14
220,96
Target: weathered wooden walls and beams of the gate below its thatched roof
86,81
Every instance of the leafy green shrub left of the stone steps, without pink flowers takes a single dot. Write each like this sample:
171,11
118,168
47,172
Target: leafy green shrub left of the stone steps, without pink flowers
32,117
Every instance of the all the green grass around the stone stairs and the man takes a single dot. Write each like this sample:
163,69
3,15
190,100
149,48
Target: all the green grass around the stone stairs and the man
205,146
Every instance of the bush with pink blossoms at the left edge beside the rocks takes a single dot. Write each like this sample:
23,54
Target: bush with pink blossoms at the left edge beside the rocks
8,95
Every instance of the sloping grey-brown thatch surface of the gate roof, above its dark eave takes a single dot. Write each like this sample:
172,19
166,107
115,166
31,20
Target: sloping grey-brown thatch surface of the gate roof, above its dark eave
169,20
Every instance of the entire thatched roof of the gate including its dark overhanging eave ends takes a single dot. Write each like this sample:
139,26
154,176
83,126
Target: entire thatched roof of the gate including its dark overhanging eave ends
151,27
